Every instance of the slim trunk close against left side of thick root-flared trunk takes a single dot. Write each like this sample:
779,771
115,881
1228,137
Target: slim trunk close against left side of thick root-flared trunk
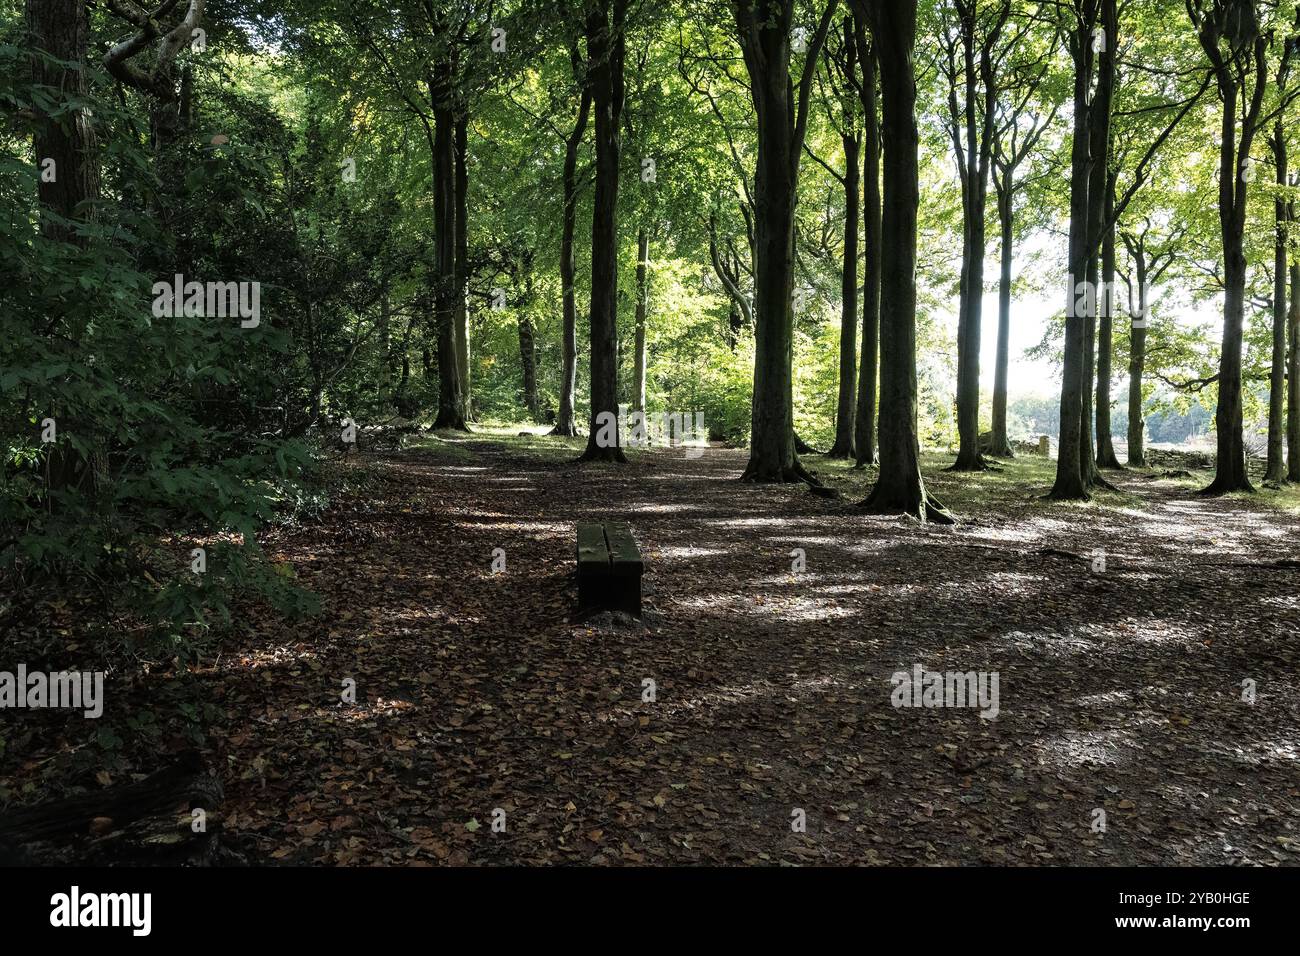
865,431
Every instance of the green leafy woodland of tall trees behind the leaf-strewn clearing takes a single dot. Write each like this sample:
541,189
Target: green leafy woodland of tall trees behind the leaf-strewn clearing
794,223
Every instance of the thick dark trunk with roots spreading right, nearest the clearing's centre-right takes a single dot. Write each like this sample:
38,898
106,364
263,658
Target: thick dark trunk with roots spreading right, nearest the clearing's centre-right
900,487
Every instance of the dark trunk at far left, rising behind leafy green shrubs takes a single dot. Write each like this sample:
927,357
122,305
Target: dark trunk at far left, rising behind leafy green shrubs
62,29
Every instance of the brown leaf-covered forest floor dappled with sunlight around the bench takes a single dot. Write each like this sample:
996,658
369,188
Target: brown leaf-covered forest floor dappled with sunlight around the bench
1120,690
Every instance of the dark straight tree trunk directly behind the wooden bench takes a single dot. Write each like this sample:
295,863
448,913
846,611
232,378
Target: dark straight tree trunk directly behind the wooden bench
605,46
